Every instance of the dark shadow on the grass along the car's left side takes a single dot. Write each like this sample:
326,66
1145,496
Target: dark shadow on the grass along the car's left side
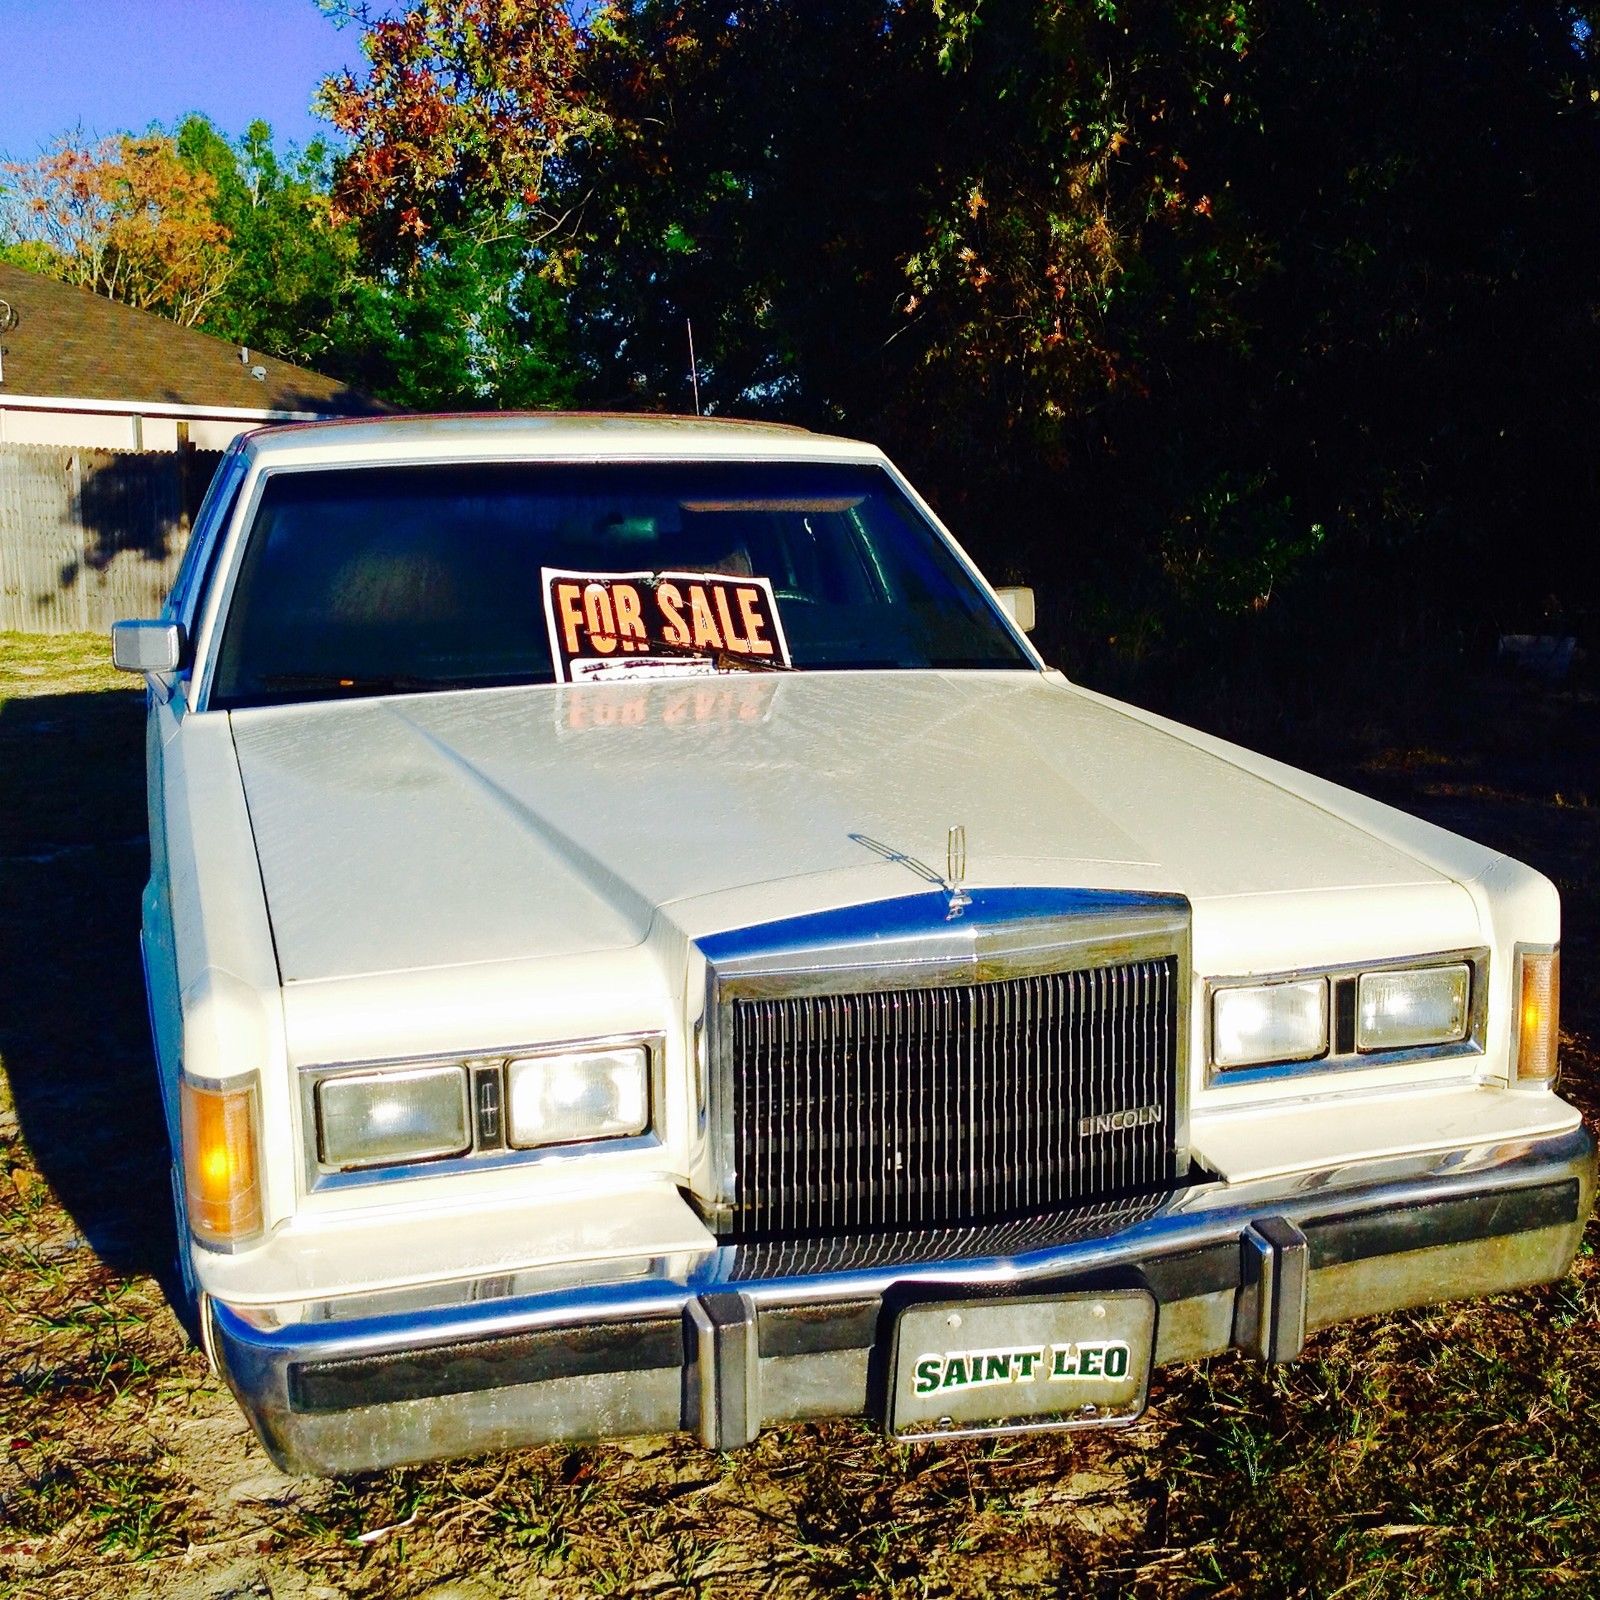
73,1018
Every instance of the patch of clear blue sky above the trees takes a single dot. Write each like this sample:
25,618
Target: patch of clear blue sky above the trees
119,65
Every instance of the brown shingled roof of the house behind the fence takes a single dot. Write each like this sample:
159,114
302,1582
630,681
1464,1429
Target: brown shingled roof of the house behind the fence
73,345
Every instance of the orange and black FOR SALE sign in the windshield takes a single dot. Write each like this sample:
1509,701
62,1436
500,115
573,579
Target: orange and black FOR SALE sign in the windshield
660,625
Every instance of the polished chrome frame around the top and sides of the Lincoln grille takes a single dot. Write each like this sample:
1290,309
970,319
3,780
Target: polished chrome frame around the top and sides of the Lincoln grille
1113,927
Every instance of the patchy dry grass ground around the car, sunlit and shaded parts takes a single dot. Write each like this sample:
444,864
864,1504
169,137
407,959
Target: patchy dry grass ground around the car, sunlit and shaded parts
1452,1452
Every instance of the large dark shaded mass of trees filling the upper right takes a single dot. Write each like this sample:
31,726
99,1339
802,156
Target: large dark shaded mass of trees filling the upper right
1193,311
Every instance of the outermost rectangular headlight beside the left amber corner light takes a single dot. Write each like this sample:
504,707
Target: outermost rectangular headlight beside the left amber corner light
380,1119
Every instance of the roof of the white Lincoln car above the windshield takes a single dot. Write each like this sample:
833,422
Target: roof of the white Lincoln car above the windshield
567,436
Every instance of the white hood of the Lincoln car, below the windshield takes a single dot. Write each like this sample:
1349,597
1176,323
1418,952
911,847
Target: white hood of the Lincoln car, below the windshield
441,830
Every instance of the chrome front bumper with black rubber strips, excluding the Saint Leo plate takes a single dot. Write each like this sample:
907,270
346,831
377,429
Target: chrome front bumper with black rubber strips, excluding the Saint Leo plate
732,1340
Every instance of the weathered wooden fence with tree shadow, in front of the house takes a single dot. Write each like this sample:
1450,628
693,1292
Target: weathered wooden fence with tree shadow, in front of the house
89,537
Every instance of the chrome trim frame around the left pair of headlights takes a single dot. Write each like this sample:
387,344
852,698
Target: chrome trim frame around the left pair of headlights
318,1177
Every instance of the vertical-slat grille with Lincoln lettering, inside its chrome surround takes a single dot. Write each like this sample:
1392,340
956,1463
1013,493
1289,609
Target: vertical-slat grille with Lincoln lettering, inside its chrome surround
953,1105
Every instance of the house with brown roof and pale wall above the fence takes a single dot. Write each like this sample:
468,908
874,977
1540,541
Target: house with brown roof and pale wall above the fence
86,372
